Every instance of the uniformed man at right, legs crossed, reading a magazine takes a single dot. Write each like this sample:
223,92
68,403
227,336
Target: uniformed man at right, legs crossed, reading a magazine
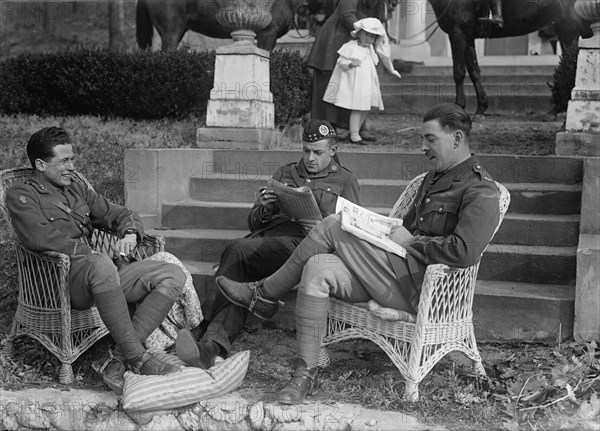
453,219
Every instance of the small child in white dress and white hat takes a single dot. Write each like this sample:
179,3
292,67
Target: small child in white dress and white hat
354,83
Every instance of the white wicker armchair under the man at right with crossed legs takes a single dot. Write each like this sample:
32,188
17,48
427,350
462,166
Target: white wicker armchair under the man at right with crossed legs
444,320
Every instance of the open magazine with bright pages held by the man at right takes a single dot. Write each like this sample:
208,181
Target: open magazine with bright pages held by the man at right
370,226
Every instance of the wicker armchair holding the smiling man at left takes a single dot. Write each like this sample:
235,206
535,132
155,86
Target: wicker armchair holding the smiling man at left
44,306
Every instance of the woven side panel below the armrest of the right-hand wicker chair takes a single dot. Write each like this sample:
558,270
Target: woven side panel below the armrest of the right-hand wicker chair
447,294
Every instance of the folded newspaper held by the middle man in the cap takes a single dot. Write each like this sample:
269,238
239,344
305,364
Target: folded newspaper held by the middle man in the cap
296,202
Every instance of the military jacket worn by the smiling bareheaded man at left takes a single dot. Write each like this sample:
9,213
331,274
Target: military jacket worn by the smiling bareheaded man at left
50,218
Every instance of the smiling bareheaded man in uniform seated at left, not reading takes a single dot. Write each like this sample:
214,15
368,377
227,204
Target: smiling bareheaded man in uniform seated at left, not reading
54,211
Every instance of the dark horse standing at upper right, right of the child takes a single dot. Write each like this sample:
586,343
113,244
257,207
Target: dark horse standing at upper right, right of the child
460,20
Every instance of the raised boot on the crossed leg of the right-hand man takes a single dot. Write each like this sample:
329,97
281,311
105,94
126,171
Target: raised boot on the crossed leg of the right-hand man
249,296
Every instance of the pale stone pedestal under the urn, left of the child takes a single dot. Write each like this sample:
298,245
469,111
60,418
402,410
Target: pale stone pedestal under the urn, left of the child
240,112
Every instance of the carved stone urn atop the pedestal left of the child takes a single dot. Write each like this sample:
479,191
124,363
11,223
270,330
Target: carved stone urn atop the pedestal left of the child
244,18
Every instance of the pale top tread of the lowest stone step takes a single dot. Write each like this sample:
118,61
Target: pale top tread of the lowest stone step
483,287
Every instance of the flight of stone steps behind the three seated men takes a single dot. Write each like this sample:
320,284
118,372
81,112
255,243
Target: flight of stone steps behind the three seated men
526,279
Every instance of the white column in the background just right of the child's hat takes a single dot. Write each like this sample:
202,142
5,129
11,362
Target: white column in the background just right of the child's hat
407,26
